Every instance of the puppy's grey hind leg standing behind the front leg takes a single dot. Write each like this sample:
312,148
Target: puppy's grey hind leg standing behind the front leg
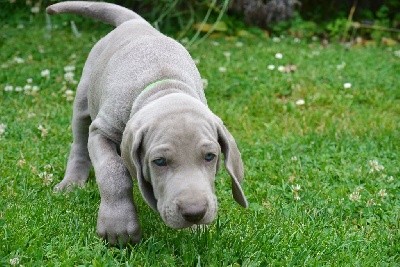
79,163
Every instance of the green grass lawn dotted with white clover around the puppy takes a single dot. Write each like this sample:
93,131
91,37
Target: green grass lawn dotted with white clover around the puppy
346,214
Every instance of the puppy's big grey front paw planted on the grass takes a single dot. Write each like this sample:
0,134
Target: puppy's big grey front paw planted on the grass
118,224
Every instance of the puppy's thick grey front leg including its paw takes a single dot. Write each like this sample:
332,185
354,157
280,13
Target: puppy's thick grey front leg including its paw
117,221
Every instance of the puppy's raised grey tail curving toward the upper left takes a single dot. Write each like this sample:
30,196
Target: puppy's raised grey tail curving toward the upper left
105,12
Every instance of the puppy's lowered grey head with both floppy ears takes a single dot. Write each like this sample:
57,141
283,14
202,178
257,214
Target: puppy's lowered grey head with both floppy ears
173,147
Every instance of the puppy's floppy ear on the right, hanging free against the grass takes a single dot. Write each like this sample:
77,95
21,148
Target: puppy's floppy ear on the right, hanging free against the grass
233,162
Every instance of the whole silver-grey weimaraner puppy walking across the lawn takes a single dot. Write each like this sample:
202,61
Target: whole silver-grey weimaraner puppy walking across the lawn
140,111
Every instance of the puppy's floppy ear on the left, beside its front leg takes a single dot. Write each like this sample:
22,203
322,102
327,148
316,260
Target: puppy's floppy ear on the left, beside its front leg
130,152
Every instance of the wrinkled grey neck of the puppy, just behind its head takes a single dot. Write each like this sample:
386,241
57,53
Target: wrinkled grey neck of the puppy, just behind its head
162,88
